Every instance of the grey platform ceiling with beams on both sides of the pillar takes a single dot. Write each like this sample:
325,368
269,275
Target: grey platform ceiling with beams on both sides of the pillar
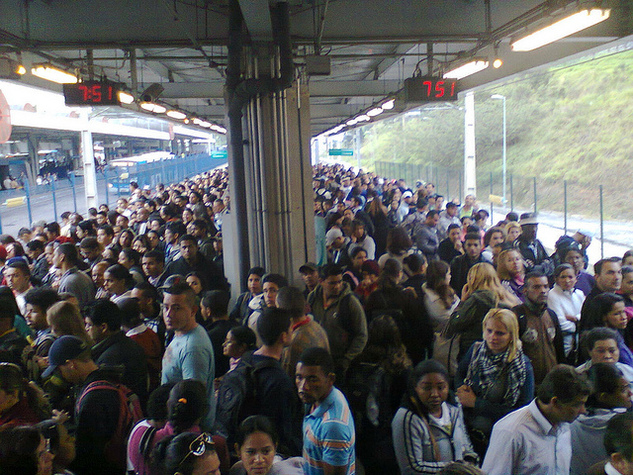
373,45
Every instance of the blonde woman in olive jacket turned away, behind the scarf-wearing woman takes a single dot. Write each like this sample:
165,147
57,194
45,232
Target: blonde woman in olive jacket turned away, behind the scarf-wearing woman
483,291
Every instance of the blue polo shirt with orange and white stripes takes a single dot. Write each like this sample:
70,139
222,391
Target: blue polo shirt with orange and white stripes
328,436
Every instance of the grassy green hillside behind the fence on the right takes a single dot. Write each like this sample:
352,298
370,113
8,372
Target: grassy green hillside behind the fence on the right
569,123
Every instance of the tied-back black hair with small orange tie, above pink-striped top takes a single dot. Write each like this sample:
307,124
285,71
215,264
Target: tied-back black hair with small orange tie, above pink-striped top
188,403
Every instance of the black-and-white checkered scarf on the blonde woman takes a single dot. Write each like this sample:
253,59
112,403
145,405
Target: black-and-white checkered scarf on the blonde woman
488,368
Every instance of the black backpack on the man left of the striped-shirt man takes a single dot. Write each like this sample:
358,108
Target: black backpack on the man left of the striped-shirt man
237,395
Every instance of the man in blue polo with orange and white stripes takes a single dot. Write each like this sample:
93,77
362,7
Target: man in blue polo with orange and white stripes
328,427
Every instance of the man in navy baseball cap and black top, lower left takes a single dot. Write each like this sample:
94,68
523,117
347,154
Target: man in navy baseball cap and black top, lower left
100,448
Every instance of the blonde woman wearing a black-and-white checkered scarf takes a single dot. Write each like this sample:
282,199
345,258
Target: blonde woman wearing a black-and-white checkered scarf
495,377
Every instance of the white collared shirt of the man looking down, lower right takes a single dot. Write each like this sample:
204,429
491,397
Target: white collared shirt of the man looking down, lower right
525,443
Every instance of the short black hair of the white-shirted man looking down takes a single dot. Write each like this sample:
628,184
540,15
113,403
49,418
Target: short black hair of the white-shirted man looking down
564,383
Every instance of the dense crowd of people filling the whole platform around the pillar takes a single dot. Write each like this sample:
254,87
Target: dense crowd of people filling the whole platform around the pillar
425,340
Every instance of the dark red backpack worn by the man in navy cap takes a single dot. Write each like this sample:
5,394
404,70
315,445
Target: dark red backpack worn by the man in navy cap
130,413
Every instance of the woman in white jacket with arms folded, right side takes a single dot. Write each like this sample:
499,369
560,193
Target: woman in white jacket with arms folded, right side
567,302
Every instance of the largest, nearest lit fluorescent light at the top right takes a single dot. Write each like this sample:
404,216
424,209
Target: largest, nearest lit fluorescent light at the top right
562,28
